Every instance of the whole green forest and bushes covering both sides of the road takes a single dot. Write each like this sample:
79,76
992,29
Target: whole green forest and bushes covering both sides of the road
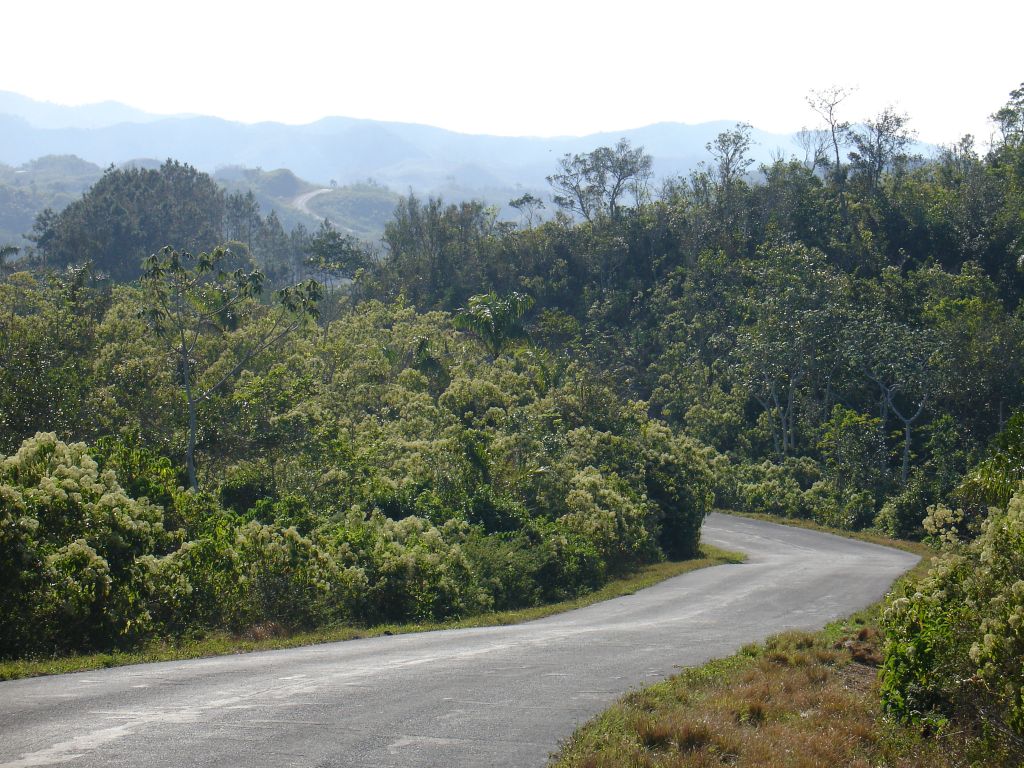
211,422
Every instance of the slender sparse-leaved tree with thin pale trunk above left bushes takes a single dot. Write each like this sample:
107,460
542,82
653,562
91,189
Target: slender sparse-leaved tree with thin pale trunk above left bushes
190,298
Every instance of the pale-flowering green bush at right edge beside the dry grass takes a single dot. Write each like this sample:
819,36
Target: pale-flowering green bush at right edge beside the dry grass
956,641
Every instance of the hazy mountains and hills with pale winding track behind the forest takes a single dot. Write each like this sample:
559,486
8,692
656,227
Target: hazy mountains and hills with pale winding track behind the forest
350,172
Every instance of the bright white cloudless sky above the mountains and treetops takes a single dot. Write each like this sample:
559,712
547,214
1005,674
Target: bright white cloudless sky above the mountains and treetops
523,68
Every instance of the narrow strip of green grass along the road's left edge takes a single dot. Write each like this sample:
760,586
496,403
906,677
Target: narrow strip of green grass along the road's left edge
270,638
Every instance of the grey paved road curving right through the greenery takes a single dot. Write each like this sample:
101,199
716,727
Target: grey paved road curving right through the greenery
489,697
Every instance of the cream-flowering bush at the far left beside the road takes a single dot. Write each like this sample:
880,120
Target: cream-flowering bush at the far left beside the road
70,539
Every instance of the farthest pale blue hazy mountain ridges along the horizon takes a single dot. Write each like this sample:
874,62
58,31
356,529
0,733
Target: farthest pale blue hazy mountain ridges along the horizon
401,156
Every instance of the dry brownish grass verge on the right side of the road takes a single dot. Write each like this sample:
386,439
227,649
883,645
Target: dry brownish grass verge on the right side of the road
799,700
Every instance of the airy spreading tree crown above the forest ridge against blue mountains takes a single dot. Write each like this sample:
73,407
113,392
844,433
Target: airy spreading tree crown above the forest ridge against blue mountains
593,185
